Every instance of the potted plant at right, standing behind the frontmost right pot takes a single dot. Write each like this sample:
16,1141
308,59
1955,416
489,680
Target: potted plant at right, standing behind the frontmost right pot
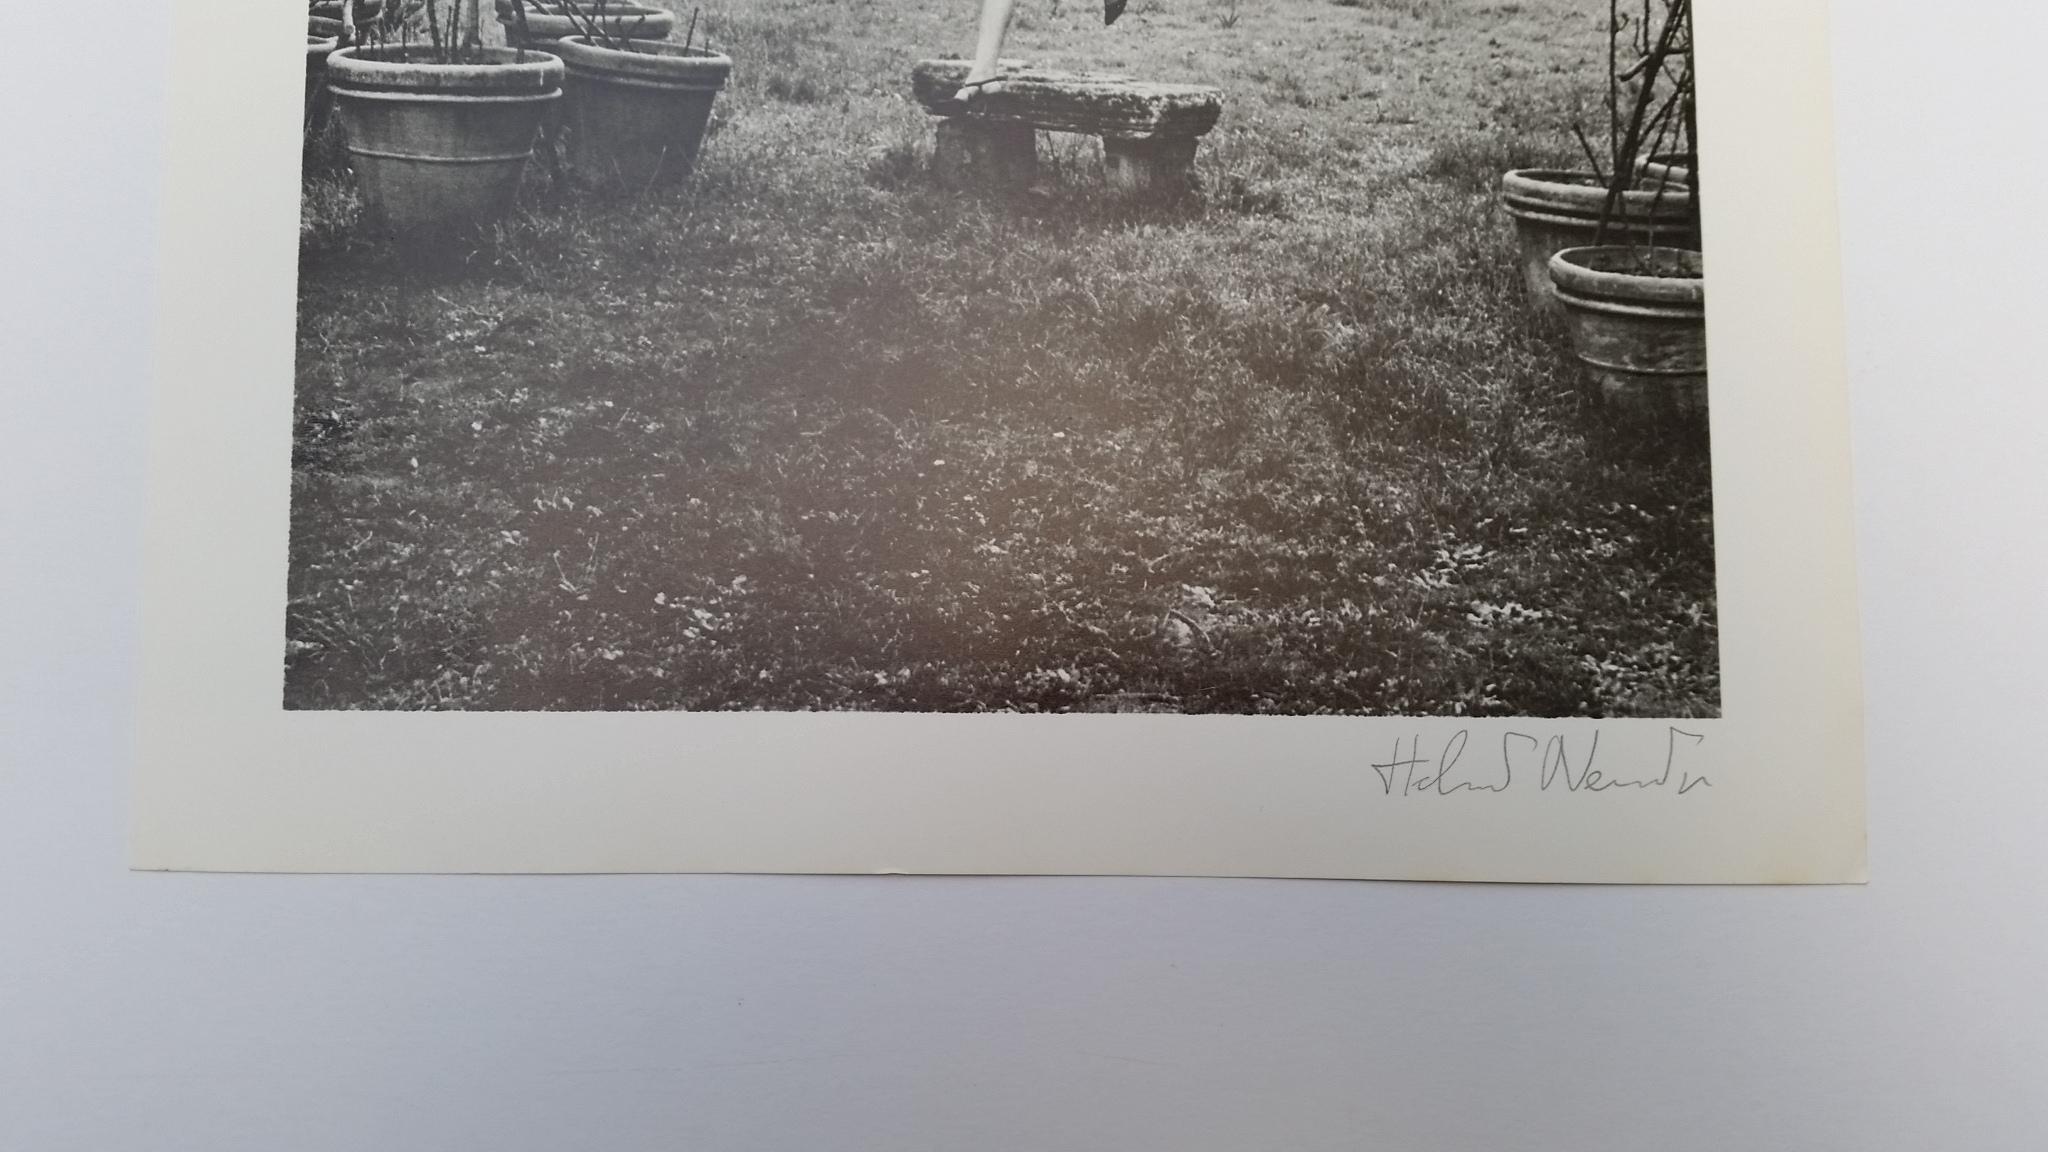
1555,210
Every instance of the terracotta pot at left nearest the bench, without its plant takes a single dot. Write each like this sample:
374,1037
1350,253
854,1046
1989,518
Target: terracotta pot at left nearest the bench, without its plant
638,116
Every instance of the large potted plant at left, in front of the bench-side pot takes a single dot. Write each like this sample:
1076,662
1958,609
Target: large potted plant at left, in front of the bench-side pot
439,128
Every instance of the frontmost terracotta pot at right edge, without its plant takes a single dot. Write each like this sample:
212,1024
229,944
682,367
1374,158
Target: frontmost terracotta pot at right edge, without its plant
1639,327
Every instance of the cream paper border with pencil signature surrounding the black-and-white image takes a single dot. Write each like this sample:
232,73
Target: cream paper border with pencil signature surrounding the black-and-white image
230,782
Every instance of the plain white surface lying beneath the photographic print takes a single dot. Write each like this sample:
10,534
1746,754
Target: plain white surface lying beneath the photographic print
308,1014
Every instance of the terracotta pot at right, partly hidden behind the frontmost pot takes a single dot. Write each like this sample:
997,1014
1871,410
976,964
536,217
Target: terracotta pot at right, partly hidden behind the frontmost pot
1564,210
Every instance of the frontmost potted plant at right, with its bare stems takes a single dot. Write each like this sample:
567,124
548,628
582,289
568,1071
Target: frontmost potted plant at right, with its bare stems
1637,306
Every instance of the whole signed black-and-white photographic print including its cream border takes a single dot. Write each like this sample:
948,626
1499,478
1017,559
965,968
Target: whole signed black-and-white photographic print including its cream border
1002,440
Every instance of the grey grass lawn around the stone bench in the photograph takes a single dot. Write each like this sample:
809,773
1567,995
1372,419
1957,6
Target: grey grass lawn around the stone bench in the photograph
822,436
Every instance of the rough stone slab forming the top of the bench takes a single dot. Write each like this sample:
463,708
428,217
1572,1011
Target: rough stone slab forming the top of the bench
1111,108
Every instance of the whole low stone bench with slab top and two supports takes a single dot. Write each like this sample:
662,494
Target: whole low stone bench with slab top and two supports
1150,132
